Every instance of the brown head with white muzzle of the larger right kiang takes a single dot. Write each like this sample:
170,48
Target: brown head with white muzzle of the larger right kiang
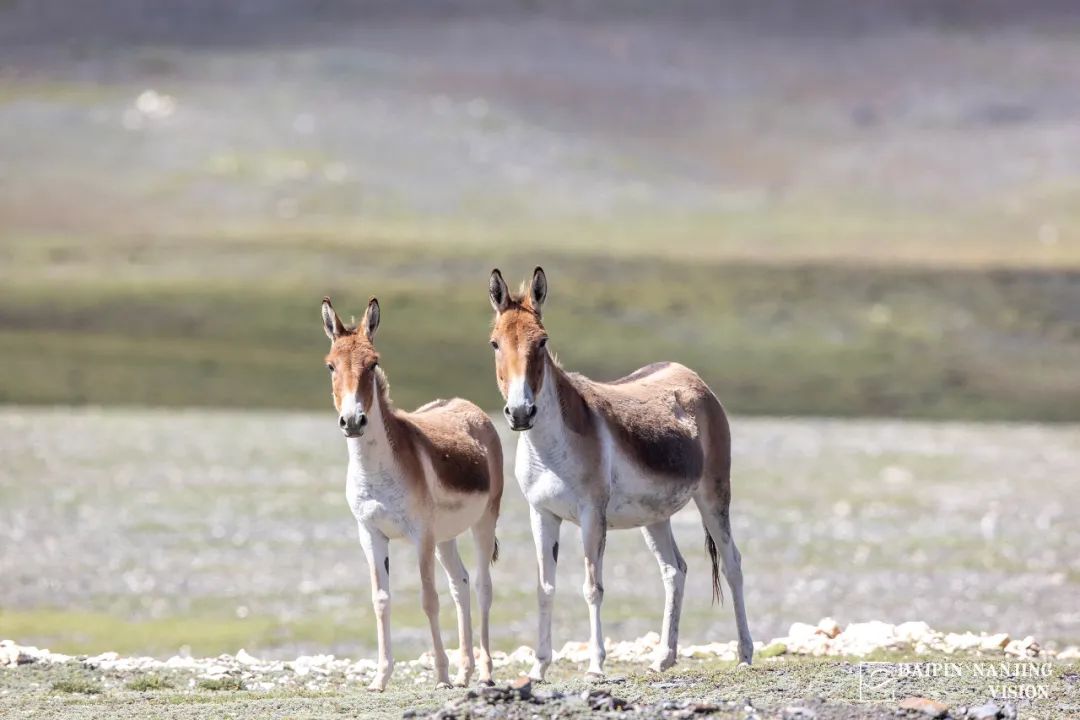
521,346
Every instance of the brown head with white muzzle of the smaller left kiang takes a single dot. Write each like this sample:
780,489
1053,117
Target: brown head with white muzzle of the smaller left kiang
354,365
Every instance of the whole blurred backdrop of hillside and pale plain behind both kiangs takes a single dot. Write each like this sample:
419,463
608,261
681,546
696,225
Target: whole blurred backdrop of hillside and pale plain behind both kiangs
832,210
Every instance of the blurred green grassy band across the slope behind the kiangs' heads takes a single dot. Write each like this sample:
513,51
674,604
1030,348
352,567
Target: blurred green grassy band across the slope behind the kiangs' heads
150,322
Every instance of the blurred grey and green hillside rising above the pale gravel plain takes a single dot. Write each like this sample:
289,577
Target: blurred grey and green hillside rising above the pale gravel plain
848,209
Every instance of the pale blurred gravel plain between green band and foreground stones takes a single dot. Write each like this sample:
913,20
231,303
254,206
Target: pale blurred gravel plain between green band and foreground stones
146,532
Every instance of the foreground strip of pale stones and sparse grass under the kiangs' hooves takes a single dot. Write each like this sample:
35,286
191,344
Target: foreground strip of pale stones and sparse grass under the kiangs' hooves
979,678
